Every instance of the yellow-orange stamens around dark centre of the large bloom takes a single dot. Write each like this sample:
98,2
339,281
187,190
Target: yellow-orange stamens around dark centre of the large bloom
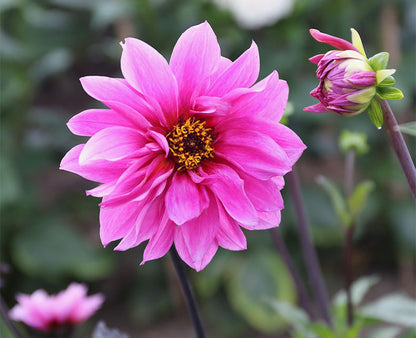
190,142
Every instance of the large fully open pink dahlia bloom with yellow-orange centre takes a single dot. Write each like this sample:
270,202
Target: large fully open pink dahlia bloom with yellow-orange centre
189,150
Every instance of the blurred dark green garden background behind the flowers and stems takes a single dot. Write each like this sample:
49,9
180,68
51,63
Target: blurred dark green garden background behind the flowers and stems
49,228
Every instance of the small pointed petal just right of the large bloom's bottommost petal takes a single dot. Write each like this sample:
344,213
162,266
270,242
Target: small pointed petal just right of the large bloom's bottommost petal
229,234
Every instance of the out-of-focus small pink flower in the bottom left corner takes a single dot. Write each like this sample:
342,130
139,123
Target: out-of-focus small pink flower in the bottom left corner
48,312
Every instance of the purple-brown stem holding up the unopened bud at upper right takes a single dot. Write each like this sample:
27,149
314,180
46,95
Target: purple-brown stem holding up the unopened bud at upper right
399,145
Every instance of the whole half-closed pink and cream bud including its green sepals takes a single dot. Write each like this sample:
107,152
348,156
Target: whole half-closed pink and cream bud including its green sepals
349,82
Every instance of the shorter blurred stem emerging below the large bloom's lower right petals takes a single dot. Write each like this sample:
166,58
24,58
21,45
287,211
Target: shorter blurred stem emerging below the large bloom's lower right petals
284,254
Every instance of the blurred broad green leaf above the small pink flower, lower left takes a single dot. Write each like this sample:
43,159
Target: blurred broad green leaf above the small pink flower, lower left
52,250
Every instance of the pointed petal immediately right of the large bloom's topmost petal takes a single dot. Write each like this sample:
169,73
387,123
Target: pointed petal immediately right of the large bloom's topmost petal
242,73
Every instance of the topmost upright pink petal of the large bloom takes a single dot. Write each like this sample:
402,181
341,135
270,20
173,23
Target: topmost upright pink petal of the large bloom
194,58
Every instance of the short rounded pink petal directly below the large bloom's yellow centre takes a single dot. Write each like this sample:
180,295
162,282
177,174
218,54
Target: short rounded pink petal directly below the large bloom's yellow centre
184,199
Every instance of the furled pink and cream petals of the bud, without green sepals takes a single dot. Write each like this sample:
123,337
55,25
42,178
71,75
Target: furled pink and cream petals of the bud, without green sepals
347,81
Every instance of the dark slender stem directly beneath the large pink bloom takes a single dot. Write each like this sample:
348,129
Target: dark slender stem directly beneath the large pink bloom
186,288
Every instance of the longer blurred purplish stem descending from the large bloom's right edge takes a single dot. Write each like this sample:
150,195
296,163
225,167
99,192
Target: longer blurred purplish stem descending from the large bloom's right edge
309,253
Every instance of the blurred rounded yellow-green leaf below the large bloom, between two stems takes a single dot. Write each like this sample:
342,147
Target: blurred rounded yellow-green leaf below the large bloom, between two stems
259,277
